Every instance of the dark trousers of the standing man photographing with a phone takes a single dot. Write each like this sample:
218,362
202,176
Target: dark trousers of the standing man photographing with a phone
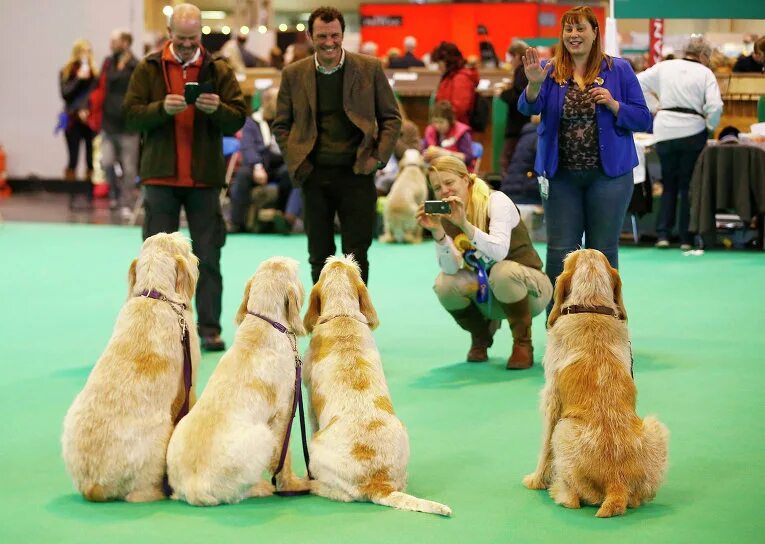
162,207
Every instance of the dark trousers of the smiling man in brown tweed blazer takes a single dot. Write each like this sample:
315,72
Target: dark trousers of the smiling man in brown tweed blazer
330,190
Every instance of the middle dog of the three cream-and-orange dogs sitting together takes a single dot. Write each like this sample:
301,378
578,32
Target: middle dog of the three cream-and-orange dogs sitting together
219,452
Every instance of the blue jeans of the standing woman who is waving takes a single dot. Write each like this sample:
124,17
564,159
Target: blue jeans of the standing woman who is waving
585,203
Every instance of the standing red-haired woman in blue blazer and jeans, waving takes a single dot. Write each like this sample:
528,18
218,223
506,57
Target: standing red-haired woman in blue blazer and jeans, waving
590,104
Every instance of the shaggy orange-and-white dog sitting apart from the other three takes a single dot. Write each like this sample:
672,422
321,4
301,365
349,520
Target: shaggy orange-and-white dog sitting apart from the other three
595,449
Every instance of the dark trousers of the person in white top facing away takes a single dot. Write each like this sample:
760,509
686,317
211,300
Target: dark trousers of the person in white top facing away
678,158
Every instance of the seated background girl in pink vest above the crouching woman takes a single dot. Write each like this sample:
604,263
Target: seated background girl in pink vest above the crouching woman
447,136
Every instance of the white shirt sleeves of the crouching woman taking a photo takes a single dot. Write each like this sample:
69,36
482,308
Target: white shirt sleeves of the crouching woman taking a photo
490,247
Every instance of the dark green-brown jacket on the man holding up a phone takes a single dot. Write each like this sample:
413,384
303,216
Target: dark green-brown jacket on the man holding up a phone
144,111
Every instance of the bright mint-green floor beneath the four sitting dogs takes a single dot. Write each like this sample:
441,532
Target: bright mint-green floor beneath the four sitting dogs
698,338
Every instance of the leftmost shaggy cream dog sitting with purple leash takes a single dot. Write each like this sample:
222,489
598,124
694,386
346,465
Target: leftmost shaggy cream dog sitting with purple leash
116,431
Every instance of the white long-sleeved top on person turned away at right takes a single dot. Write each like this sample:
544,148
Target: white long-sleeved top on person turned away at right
682,83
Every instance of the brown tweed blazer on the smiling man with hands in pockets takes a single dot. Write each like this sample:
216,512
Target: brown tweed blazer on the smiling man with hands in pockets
368,102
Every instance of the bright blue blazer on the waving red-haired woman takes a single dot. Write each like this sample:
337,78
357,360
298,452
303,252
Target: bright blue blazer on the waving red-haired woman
617,148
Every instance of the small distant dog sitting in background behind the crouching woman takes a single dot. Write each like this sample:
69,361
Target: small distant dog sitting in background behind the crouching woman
408,191
